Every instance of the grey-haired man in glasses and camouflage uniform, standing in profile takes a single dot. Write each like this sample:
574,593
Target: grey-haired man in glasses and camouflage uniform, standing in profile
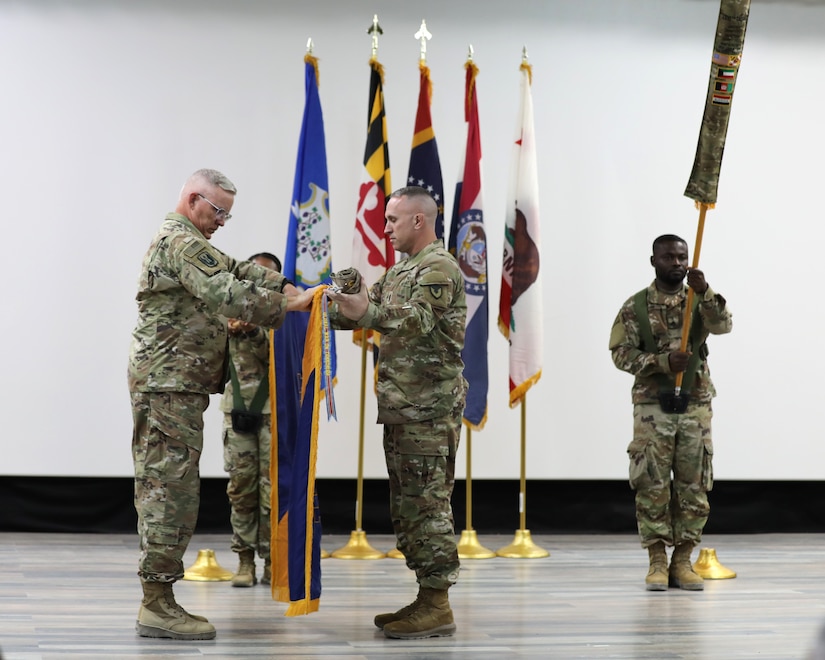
187,290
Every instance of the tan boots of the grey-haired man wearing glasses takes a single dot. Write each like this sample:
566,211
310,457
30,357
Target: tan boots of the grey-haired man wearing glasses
161,616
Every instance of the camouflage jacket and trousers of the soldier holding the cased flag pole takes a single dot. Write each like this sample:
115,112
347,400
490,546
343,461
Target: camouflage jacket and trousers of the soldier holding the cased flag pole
670,509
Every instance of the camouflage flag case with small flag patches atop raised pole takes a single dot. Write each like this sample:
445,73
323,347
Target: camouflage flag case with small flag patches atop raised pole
727,54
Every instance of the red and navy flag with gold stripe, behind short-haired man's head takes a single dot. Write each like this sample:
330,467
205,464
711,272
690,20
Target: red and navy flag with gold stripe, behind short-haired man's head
425,167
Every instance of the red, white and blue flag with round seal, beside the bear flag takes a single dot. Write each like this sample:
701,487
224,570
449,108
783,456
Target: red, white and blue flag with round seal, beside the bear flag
468,243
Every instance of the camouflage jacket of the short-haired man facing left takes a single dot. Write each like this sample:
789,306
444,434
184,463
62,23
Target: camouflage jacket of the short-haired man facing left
419,307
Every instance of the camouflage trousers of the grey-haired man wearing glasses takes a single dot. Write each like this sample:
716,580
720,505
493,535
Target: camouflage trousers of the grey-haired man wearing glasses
166,448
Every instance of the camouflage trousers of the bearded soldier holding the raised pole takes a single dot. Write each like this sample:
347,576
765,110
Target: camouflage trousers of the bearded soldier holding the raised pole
671,471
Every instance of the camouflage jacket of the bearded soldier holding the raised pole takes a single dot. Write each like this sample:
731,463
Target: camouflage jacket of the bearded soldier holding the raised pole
666,314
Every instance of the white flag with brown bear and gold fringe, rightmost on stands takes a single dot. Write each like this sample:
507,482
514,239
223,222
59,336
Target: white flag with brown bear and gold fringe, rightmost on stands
520,306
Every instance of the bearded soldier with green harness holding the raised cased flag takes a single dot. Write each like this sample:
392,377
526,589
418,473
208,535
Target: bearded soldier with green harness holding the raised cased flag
672,450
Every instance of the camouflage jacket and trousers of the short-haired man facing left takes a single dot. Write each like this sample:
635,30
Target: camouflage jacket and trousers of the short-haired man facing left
419,308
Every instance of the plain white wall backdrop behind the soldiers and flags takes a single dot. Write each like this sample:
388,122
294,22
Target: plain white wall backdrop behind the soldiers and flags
106,106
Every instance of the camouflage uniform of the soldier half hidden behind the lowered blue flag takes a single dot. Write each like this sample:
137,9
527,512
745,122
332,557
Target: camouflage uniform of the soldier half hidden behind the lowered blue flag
246,455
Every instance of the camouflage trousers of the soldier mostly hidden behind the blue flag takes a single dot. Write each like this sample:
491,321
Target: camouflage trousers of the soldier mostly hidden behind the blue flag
246,459
